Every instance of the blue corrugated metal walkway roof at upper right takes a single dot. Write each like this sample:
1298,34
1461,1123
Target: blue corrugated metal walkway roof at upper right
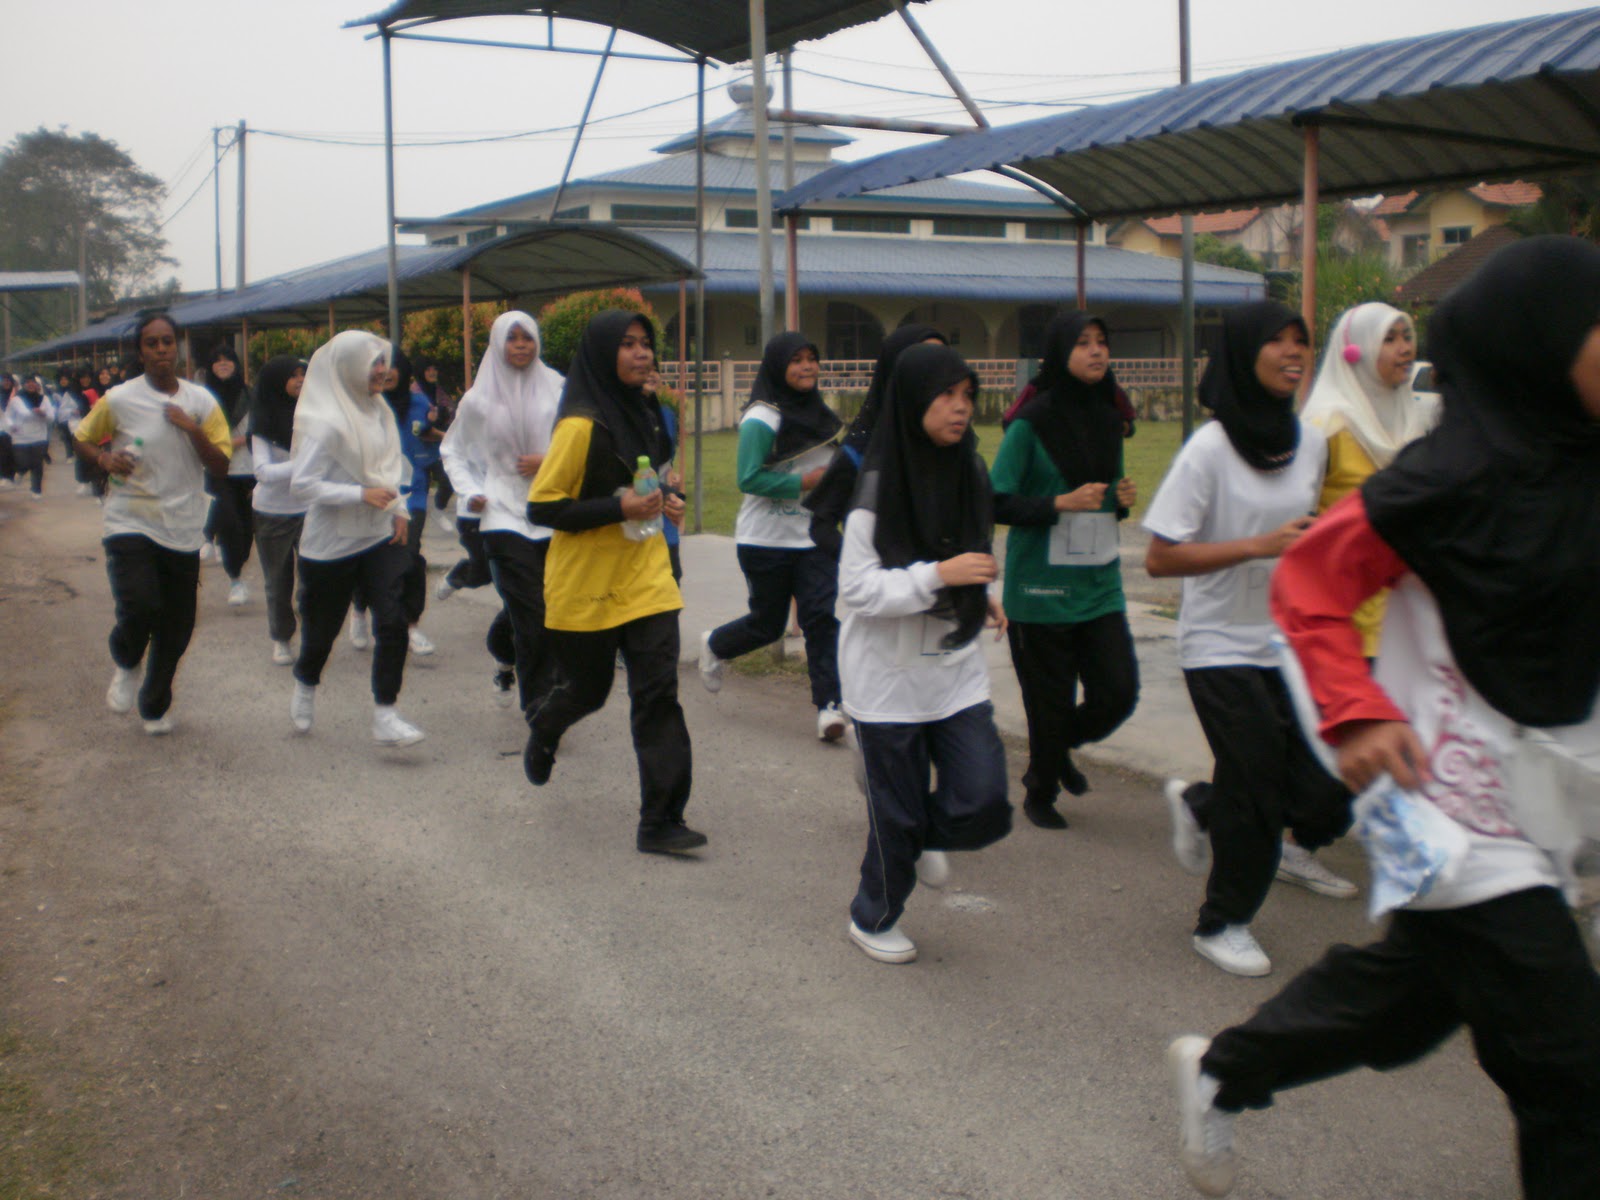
1510,100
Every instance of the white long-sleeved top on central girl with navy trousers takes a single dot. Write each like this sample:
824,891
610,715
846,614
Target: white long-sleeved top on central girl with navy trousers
890,663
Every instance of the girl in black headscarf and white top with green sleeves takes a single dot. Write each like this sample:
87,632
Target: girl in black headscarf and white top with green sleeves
786,441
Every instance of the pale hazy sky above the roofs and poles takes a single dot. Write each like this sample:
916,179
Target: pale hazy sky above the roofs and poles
158,78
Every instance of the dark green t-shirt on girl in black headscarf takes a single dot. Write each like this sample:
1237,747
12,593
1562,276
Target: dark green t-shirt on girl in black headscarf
1036,590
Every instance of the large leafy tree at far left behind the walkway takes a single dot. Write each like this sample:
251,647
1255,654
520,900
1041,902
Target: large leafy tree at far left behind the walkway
70,199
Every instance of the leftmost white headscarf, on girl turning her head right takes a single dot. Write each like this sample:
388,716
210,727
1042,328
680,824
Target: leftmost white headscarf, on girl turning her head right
338,410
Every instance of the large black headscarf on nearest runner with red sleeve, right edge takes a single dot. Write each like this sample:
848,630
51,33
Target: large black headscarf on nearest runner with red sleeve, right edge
1498,510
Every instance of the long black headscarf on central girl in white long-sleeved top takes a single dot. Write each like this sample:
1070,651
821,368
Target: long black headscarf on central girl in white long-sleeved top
932,503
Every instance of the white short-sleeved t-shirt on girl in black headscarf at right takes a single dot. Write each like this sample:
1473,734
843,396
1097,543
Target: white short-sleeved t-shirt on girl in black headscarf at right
1212,495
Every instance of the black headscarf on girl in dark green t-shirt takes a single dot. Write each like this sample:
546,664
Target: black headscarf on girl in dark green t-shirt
1078,423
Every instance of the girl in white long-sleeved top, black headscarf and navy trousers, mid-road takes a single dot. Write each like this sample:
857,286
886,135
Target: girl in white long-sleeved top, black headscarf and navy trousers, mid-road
914,580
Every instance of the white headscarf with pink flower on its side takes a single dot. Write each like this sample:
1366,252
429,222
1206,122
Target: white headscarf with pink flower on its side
1350,396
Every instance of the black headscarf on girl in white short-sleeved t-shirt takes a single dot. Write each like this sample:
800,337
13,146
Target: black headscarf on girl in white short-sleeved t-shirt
1262,426
